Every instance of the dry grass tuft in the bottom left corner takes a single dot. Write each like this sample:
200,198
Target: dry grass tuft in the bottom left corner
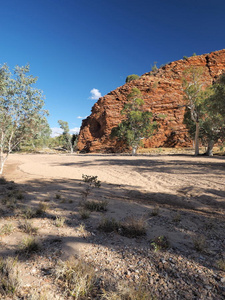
9,277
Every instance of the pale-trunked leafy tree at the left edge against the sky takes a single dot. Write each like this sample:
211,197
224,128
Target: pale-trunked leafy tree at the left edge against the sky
21,109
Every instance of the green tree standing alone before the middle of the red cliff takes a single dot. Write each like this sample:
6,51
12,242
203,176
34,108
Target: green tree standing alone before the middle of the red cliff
137,124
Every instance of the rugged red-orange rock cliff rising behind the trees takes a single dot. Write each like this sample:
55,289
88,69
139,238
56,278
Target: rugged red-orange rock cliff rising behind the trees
163,95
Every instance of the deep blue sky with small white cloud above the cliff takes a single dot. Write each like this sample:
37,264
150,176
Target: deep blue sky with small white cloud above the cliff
81,49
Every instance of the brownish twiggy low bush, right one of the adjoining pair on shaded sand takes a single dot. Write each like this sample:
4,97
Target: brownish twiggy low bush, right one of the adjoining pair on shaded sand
133,227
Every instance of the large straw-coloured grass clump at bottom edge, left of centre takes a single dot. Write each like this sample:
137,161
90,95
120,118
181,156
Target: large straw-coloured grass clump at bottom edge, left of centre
76,278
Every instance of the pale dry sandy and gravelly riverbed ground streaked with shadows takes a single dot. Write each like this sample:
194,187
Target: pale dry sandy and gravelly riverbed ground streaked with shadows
187,194
